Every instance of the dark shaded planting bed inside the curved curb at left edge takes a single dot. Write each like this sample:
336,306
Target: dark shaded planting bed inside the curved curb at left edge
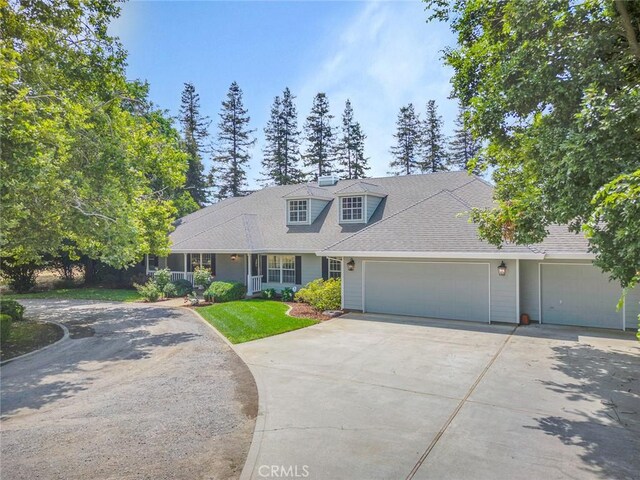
26,337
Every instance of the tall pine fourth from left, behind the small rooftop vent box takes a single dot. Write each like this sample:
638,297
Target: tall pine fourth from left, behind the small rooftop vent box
320,137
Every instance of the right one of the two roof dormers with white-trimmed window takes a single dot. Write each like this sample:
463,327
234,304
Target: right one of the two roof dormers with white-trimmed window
358,202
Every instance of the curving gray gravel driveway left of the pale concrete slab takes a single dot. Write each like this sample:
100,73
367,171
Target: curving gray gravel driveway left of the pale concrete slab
137,391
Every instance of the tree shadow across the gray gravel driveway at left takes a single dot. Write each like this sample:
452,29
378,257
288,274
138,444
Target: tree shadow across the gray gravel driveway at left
99,334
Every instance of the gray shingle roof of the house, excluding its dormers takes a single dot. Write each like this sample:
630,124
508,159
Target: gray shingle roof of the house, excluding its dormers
419,214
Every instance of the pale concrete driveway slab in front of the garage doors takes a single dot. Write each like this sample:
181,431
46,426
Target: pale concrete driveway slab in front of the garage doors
362,397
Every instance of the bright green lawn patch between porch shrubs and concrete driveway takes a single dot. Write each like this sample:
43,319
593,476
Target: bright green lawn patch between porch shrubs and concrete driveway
245,320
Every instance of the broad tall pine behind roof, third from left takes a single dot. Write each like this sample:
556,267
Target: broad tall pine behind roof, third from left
282,149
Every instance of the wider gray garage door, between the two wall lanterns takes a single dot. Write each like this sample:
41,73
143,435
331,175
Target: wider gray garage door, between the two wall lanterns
457,291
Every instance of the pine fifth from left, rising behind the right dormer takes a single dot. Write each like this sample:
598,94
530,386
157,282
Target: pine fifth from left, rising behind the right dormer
350,148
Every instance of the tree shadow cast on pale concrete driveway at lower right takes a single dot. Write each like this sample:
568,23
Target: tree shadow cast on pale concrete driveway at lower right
609,438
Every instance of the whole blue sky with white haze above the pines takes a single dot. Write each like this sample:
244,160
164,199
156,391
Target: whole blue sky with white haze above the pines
380,55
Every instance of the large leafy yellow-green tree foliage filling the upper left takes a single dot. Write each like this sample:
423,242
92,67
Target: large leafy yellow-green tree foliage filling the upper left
85,160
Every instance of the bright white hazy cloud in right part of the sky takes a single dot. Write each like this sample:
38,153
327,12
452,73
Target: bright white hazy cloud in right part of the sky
383,58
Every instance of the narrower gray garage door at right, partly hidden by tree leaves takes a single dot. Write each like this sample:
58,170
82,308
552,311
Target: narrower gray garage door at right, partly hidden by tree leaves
579,295
